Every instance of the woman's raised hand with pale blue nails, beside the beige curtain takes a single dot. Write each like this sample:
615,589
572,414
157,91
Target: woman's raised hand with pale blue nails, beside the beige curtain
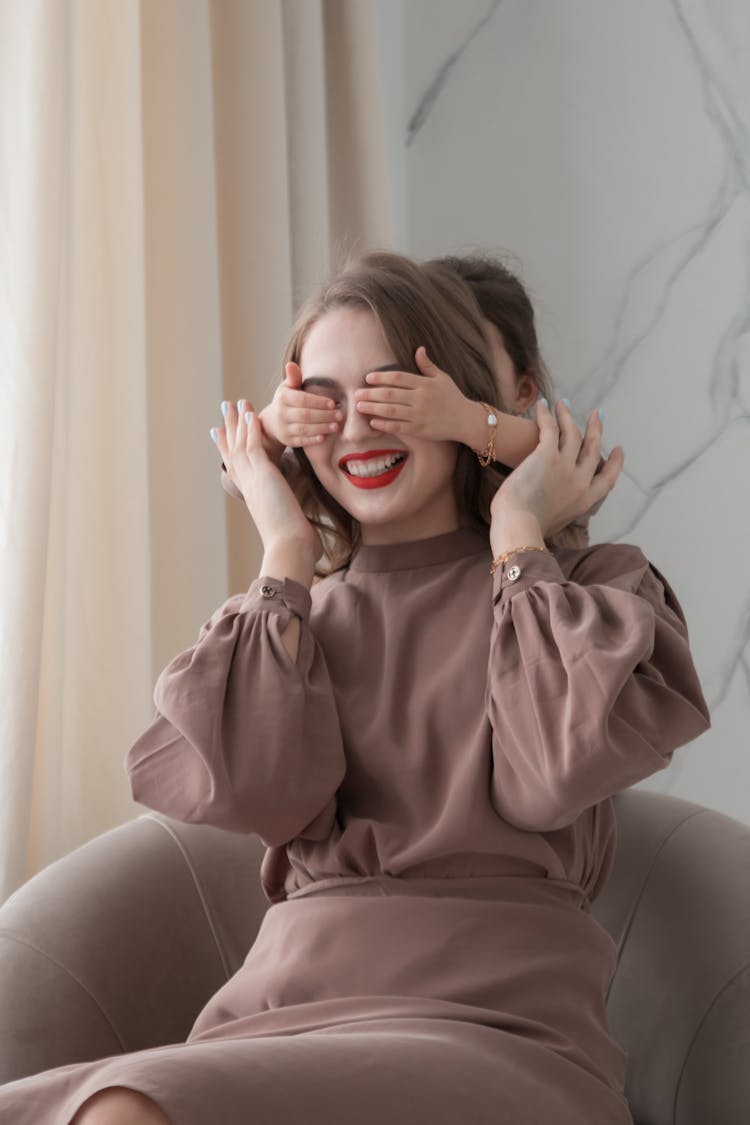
270,501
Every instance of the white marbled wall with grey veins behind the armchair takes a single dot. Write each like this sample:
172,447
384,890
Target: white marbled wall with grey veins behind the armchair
608,147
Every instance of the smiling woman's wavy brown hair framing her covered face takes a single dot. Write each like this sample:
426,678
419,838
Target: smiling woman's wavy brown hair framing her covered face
431,304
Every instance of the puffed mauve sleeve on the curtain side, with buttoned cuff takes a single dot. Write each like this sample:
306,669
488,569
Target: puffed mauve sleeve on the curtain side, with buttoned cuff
245,737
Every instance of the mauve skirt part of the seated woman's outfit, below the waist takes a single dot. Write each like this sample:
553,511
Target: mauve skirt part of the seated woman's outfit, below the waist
430,1002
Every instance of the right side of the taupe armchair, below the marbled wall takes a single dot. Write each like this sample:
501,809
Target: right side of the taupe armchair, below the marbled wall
679,906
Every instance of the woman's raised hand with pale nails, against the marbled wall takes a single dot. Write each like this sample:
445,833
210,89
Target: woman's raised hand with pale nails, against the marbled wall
559,482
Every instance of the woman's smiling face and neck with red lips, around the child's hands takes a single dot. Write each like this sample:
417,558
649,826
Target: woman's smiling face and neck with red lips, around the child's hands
393,503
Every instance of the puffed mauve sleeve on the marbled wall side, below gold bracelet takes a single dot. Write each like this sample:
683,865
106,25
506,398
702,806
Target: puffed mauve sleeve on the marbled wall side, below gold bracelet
591,682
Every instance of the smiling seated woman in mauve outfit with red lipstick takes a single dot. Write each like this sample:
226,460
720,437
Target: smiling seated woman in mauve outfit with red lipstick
427,741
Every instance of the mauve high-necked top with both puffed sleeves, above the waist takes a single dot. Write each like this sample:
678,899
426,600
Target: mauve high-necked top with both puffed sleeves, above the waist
437,722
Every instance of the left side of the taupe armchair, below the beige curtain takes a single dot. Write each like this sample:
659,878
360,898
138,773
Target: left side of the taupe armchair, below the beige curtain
118,947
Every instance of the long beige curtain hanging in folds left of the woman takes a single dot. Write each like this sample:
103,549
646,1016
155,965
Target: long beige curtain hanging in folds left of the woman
175,175
